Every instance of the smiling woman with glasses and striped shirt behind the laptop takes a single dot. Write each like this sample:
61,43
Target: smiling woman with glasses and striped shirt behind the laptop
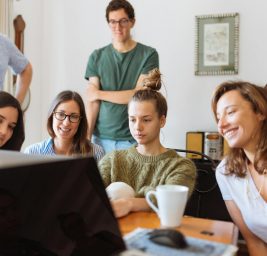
67,126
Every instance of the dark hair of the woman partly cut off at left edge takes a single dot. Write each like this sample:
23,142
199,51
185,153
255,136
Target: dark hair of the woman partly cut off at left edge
18,136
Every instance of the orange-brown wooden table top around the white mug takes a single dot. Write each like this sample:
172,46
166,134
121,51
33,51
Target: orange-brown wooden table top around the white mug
213,230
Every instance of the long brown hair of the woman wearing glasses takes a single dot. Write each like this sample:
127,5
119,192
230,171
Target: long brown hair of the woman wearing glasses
81,144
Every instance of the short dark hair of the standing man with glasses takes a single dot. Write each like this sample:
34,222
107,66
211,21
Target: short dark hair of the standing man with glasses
115,5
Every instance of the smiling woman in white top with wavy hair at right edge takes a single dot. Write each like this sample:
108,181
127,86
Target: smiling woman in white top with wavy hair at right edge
240,109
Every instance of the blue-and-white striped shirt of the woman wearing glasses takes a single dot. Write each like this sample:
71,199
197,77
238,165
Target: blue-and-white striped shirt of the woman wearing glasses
46,148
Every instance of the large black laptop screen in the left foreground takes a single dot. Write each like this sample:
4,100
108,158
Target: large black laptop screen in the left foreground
57,207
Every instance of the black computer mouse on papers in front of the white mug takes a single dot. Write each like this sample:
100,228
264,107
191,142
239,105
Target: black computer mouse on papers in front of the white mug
168,237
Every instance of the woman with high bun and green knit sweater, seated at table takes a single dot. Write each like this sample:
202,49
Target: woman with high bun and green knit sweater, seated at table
147,164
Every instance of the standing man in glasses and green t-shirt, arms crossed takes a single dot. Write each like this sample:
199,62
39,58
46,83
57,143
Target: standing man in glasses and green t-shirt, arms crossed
115,72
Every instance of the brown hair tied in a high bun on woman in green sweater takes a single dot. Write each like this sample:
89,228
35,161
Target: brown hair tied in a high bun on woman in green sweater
152,85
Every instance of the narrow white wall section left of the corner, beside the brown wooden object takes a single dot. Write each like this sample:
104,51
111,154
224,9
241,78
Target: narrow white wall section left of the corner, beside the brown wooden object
31,11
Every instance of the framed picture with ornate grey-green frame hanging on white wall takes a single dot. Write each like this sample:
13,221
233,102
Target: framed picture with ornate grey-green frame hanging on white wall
217,44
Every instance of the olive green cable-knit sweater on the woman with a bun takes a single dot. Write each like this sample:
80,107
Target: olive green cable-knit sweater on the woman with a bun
144,173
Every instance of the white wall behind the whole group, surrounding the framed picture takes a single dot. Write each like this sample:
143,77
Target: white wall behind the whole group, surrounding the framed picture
62,33
